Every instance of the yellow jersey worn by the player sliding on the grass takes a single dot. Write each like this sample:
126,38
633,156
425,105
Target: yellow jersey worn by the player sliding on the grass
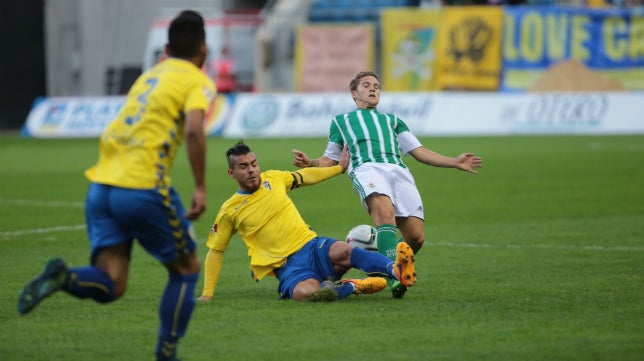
267,221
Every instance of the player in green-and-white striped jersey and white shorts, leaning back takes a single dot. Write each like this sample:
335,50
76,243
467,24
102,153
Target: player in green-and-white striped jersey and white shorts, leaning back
387,190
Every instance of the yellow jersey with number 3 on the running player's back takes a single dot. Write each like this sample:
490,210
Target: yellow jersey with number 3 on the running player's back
137,149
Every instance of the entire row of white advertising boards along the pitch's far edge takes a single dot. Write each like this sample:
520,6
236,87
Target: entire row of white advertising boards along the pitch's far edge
249,115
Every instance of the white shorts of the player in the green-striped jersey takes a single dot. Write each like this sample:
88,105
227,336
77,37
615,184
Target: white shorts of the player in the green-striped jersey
391,180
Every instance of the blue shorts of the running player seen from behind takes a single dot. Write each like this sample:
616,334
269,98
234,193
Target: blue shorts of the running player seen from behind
155,218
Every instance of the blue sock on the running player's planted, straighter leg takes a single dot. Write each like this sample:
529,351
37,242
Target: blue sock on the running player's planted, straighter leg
175,310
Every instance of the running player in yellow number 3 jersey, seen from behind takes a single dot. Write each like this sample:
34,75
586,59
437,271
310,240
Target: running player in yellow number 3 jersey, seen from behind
130,195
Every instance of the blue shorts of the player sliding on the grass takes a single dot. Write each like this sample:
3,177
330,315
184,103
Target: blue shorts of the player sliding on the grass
312,261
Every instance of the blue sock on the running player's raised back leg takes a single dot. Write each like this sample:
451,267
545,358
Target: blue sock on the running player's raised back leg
90,282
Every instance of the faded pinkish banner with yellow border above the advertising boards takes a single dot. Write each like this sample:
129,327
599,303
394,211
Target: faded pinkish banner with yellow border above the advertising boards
327,57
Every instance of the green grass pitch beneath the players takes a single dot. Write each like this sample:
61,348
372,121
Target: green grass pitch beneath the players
539,257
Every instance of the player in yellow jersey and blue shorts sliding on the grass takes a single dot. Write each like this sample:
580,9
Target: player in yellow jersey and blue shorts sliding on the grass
281,244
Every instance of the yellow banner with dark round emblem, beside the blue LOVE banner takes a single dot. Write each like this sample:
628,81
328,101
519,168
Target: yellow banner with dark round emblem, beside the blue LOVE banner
469,48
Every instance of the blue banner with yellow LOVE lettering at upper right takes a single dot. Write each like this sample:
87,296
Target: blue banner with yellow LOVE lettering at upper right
608,41
